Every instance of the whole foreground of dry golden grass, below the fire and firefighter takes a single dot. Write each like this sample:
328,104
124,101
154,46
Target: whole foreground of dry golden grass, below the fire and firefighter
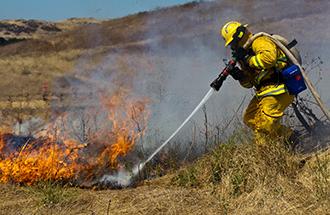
232,179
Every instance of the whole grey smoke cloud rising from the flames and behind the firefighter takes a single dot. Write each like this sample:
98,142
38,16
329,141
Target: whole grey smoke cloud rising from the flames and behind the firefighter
170,74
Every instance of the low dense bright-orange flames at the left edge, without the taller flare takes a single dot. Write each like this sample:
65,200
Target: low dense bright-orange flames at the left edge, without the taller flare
49,162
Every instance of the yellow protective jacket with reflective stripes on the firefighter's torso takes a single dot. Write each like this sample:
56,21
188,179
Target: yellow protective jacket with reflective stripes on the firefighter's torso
261,70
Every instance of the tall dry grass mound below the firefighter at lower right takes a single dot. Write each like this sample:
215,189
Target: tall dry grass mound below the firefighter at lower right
249,179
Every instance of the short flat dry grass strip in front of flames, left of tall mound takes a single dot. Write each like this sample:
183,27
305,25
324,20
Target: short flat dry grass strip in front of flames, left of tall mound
148,199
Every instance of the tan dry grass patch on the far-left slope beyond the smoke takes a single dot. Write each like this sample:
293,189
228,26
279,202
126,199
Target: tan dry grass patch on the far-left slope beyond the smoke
21,75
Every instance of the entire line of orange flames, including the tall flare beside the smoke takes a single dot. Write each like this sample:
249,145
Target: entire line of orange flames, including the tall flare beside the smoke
55,156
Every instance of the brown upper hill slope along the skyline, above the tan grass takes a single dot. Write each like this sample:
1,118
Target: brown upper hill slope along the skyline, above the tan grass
190,20
